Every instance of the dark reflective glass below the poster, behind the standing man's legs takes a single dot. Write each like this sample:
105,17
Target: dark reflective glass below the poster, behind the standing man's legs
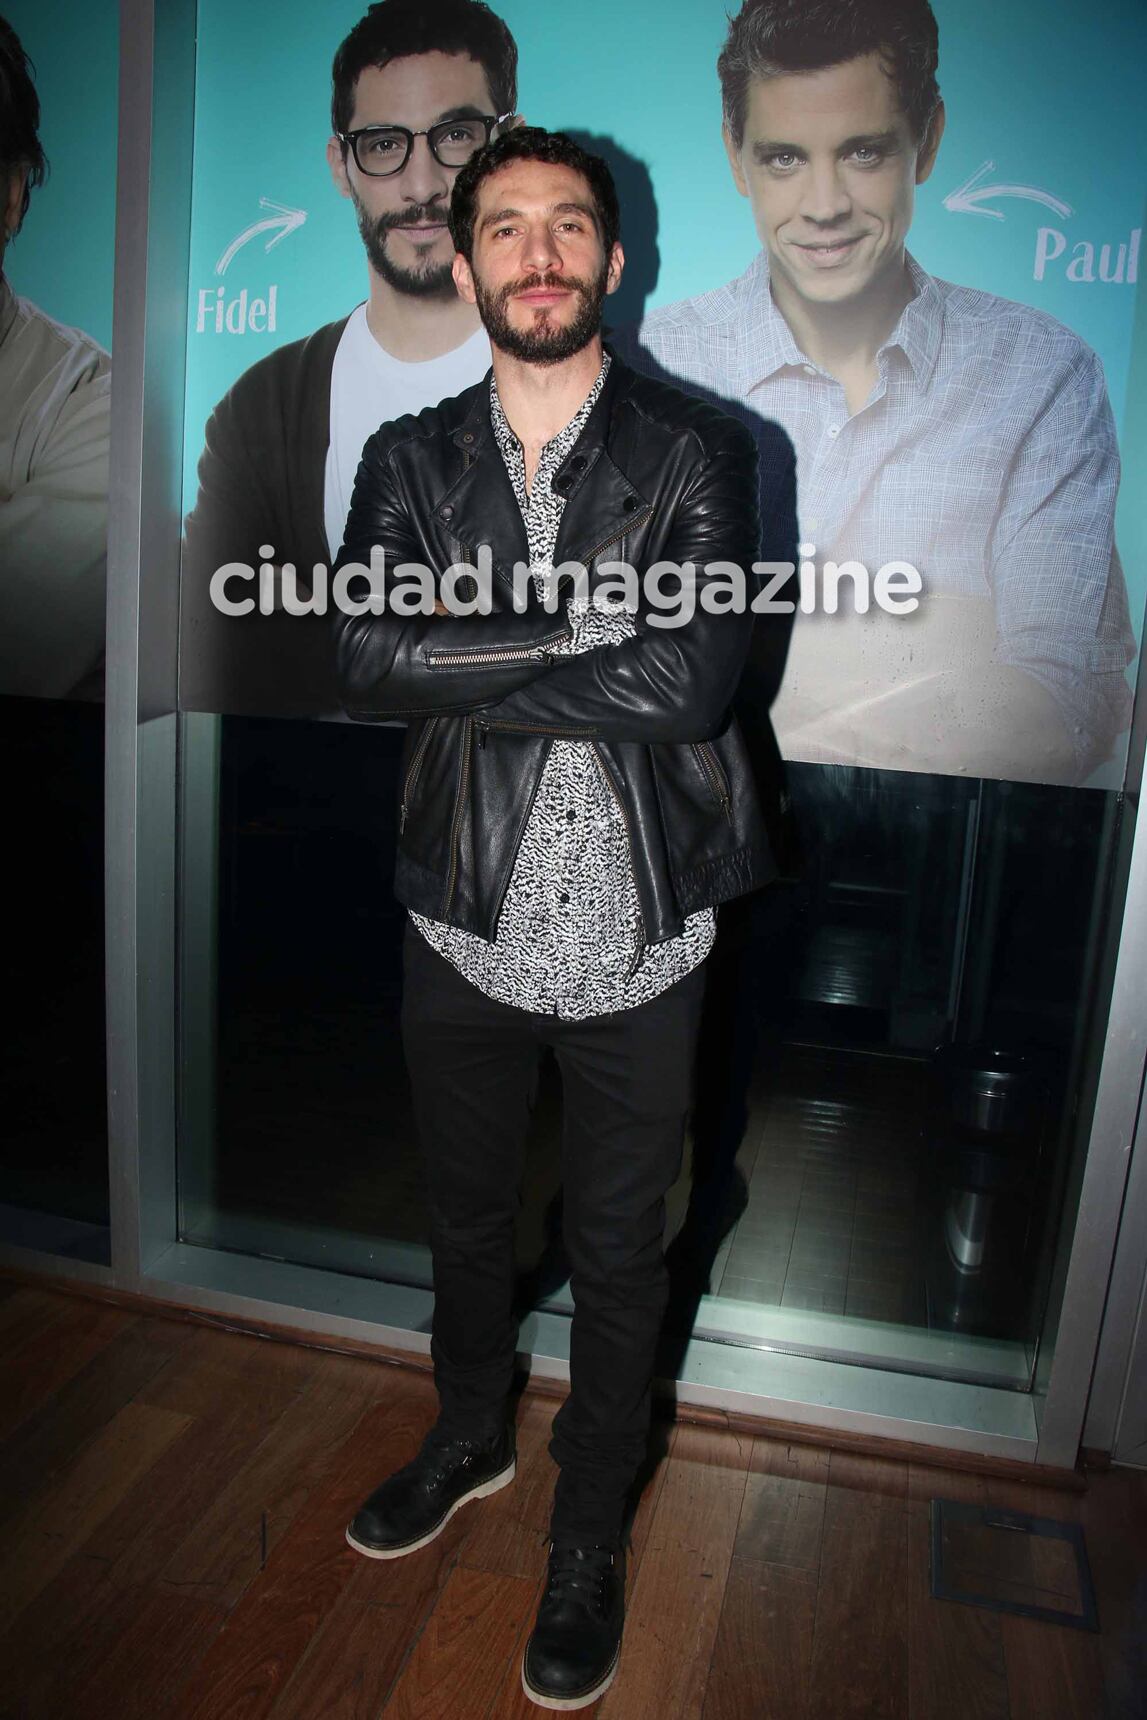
888,1067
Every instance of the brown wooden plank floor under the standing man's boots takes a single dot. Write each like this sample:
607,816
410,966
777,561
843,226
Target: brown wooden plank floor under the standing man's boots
175,1502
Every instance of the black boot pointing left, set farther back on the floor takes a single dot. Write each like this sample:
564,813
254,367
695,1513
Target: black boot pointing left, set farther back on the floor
417,1502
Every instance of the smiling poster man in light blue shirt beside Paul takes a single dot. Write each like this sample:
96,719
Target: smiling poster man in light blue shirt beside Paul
935,426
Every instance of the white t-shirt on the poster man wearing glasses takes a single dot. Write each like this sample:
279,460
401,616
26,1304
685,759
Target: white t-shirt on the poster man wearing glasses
369,390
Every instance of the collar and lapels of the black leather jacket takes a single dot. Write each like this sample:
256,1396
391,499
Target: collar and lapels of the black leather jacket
601,501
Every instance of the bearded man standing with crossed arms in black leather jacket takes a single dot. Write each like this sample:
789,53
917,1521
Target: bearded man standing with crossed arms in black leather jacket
575,804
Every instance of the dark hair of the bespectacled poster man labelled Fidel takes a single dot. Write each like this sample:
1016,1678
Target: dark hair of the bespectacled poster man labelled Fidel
391,30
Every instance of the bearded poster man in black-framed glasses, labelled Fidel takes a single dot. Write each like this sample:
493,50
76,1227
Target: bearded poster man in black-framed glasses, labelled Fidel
417,89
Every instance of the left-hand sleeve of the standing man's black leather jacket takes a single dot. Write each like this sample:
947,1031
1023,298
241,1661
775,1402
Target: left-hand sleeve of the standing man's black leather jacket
405,665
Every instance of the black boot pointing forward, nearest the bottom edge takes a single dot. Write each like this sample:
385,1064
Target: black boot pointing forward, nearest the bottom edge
577,1640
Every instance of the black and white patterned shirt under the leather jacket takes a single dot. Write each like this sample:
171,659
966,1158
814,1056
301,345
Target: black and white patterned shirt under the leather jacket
568,938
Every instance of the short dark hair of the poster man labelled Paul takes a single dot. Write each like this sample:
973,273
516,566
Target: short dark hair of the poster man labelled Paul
771,37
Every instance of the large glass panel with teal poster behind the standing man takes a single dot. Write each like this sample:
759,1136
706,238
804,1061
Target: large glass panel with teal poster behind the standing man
892,1074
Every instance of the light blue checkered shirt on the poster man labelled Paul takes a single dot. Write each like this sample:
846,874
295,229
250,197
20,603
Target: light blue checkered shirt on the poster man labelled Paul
986,457
